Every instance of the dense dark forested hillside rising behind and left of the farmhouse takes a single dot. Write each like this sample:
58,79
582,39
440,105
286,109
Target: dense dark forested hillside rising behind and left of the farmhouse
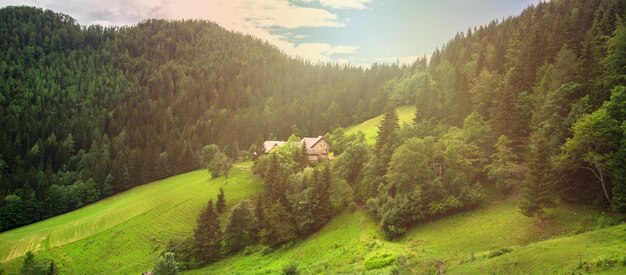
87,112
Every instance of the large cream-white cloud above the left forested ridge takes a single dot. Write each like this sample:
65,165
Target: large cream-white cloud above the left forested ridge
256,18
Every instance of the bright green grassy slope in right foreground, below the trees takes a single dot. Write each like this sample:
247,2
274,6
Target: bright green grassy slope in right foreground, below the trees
352,239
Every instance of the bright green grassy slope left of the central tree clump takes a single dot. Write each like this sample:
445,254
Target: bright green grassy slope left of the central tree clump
125,233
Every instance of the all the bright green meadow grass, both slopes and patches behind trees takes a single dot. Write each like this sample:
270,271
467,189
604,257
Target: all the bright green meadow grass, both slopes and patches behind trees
126,233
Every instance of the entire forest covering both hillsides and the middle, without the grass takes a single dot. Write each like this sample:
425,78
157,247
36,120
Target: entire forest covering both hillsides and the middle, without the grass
533,106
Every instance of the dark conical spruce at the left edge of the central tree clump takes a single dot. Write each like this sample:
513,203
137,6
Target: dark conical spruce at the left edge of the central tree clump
208,236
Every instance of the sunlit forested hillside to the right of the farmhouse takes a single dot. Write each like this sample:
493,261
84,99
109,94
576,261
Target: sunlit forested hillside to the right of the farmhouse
534,104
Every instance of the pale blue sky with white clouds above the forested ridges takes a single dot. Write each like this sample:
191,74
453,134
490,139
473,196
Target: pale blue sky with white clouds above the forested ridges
358,32
